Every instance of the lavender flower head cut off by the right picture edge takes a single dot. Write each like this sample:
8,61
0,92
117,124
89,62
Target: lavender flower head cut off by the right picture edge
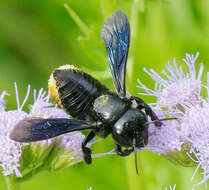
196,129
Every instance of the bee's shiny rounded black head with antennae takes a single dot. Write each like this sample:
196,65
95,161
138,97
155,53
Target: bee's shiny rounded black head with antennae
130,130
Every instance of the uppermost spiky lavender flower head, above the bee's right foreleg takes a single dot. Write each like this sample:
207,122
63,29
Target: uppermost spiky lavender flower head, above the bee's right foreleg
176,88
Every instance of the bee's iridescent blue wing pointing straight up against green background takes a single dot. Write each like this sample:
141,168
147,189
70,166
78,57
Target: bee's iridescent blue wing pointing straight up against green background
116,36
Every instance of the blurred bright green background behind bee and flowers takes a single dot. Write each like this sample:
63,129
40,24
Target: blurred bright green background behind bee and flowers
37,36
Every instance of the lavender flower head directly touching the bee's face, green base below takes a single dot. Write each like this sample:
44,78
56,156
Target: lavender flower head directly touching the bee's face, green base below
169,140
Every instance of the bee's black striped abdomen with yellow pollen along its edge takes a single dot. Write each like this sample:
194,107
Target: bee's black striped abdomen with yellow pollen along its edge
74,90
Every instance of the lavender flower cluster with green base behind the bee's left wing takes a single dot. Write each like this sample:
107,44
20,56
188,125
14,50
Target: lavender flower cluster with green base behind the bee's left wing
46,154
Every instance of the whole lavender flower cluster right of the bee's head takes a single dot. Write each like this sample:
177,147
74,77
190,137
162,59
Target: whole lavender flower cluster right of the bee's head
184,141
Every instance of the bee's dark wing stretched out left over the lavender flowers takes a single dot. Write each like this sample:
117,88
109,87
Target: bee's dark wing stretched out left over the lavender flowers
35,129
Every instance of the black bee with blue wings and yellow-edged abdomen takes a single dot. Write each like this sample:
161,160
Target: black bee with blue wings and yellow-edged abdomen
93,105
